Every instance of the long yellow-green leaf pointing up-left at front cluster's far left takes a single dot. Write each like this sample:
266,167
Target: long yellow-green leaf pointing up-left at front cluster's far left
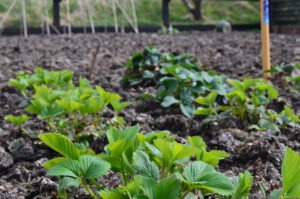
61,144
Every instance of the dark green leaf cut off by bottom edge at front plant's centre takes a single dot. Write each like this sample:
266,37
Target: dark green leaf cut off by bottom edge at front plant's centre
167,188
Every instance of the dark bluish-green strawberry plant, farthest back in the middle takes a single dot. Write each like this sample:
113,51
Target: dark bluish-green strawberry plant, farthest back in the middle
179,79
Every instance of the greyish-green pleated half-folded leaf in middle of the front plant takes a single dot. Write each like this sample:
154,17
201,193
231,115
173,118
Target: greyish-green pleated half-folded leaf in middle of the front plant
144,166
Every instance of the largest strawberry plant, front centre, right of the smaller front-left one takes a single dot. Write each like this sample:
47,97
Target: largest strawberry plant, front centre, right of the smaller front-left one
156,166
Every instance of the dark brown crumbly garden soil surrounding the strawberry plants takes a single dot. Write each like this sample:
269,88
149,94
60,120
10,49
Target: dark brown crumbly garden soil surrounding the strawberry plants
236,55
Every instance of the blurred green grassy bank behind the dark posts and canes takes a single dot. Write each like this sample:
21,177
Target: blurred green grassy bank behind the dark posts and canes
148,12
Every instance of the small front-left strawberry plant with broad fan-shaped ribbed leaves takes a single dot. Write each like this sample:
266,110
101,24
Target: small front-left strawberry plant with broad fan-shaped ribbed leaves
76,168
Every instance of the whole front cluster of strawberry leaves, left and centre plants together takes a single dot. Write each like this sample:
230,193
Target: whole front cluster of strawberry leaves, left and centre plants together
151,166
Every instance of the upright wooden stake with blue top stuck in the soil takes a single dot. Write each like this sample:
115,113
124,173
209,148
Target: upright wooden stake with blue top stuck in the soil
265,37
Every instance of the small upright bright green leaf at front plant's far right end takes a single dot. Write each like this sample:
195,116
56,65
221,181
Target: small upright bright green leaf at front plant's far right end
242,184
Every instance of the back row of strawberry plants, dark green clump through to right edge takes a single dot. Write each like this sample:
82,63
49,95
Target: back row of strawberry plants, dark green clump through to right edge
181,82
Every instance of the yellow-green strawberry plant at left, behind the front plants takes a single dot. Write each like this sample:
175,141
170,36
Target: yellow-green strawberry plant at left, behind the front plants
73,110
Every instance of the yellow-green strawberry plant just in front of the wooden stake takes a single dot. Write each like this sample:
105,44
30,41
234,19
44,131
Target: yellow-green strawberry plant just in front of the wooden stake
248,101
